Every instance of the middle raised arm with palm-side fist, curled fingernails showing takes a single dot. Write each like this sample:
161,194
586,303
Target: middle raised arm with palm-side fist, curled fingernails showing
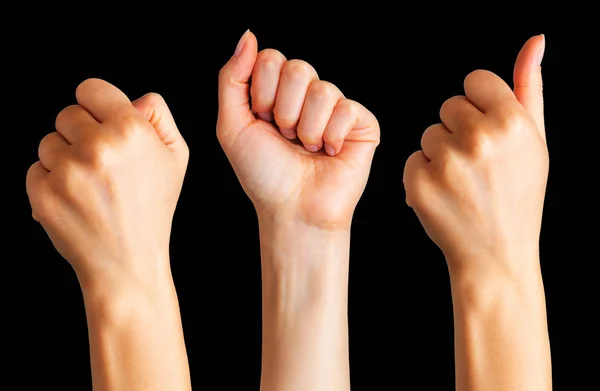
302,153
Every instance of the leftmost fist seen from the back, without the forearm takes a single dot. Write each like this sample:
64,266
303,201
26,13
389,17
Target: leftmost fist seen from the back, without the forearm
107,182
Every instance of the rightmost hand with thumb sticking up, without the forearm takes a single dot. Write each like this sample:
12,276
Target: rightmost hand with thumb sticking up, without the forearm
478,184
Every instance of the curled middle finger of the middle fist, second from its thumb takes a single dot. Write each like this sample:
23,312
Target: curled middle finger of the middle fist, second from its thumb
296,76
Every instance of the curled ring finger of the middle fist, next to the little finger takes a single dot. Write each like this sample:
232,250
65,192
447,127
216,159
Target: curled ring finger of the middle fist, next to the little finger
321,99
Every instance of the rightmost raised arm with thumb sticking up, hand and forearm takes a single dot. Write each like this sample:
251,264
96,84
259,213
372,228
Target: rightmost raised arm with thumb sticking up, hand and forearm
478,188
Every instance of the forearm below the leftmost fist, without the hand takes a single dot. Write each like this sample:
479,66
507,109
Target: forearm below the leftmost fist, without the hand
136,337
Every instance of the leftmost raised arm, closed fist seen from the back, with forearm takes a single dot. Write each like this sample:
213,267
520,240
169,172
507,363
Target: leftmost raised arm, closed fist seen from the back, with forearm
108,209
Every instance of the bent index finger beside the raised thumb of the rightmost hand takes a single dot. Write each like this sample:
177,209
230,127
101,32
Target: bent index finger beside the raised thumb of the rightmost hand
487,91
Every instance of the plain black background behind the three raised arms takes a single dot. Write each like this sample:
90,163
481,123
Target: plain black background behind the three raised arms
400,308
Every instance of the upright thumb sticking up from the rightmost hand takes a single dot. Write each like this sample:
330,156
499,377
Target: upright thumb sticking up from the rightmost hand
528,80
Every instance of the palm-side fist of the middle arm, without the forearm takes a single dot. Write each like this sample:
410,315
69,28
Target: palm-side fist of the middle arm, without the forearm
317,180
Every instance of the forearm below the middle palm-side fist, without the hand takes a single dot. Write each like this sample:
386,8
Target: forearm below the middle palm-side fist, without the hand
305,323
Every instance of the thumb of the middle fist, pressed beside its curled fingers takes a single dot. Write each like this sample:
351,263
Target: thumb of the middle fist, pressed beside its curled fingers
234,108
